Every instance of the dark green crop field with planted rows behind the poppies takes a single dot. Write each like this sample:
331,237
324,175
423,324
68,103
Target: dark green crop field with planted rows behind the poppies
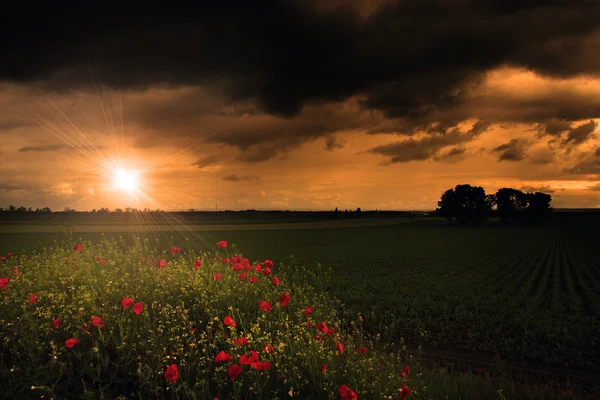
517,293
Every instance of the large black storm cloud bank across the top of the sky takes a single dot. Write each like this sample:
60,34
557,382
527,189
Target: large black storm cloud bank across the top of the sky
409,59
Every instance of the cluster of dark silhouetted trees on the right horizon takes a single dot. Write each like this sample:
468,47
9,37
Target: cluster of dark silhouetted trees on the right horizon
470,204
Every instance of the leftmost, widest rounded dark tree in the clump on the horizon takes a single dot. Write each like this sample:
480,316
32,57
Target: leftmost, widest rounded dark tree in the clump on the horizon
465,203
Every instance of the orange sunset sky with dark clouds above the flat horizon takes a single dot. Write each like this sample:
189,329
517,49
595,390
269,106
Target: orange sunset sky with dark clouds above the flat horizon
285,104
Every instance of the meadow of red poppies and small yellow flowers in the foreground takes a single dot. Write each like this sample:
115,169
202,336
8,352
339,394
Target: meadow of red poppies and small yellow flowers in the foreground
109,321
